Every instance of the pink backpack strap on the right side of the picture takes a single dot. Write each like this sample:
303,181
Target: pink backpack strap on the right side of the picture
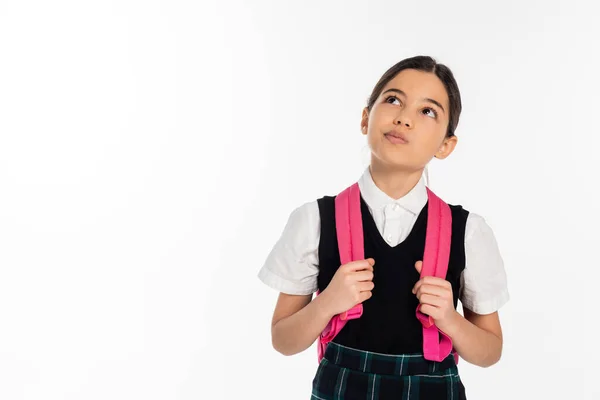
436,344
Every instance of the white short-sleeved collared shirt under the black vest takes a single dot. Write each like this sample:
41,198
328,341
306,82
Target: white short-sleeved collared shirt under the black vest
292,266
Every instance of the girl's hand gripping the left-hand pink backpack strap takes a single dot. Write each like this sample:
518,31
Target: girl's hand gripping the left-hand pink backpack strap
351,285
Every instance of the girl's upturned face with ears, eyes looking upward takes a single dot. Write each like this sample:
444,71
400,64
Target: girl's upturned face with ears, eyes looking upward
407,124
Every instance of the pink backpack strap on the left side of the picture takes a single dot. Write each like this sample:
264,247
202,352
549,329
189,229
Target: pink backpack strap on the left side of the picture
349,231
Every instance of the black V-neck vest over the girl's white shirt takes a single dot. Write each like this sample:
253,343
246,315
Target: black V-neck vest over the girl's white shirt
389,324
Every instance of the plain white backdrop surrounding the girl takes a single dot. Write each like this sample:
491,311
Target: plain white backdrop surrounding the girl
151,152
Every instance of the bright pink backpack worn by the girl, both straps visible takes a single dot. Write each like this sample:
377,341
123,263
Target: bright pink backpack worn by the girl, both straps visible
436,344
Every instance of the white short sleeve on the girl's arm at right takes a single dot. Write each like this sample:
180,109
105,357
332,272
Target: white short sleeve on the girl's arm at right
484,288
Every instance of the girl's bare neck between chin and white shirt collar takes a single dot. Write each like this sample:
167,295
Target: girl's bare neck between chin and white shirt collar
395,182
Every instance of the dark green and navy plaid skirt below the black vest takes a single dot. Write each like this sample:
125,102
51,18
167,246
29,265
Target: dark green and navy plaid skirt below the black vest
348,374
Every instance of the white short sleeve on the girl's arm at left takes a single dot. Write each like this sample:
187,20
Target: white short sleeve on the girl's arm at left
292,264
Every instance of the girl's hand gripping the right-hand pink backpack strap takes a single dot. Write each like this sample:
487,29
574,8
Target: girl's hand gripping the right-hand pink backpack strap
435,296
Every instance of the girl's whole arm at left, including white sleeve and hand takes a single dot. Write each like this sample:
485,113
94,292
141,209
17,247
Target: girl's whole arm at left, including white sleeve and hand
292,269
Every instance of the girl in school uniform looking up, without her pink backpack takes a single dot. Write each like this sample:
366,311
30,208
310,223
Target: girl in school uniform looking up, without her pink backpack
410,118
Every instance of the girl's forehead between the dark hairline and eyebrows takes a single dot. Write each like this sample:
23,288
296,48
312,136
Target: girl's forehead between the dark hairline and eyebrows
418,84
